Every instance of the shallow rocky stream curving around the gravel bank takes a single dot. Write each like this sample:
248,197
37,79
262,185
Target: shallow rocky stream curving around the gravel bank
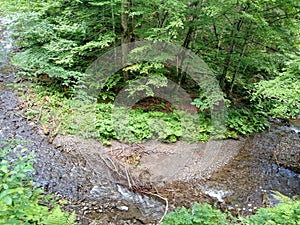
241,186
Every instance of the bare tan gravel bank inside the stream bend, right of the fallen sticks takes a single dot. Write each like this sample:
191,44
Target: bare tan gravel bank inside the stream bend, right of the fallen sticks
161,163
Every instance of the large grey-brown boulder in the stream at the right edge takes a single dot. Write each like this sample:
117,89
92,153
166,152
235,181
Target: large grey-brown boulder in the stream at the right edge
287,152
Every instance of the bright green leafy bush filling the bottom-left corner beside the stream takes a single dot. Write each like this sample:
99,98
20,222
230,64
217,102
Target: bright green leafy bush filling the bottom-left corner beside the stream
19,200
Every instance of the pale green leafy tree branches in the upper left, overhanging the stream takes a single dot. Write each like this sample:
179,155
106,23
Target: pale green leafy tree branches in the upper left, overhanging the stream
55,41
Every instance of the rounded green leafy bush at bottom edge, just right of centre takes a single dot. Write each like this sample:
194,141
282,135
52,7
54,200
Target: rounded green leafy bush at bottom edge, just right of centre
199,214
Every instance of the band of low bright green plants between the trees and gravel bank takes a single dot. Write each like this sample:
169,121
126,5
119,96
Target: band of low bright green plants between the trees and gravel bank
58,113
